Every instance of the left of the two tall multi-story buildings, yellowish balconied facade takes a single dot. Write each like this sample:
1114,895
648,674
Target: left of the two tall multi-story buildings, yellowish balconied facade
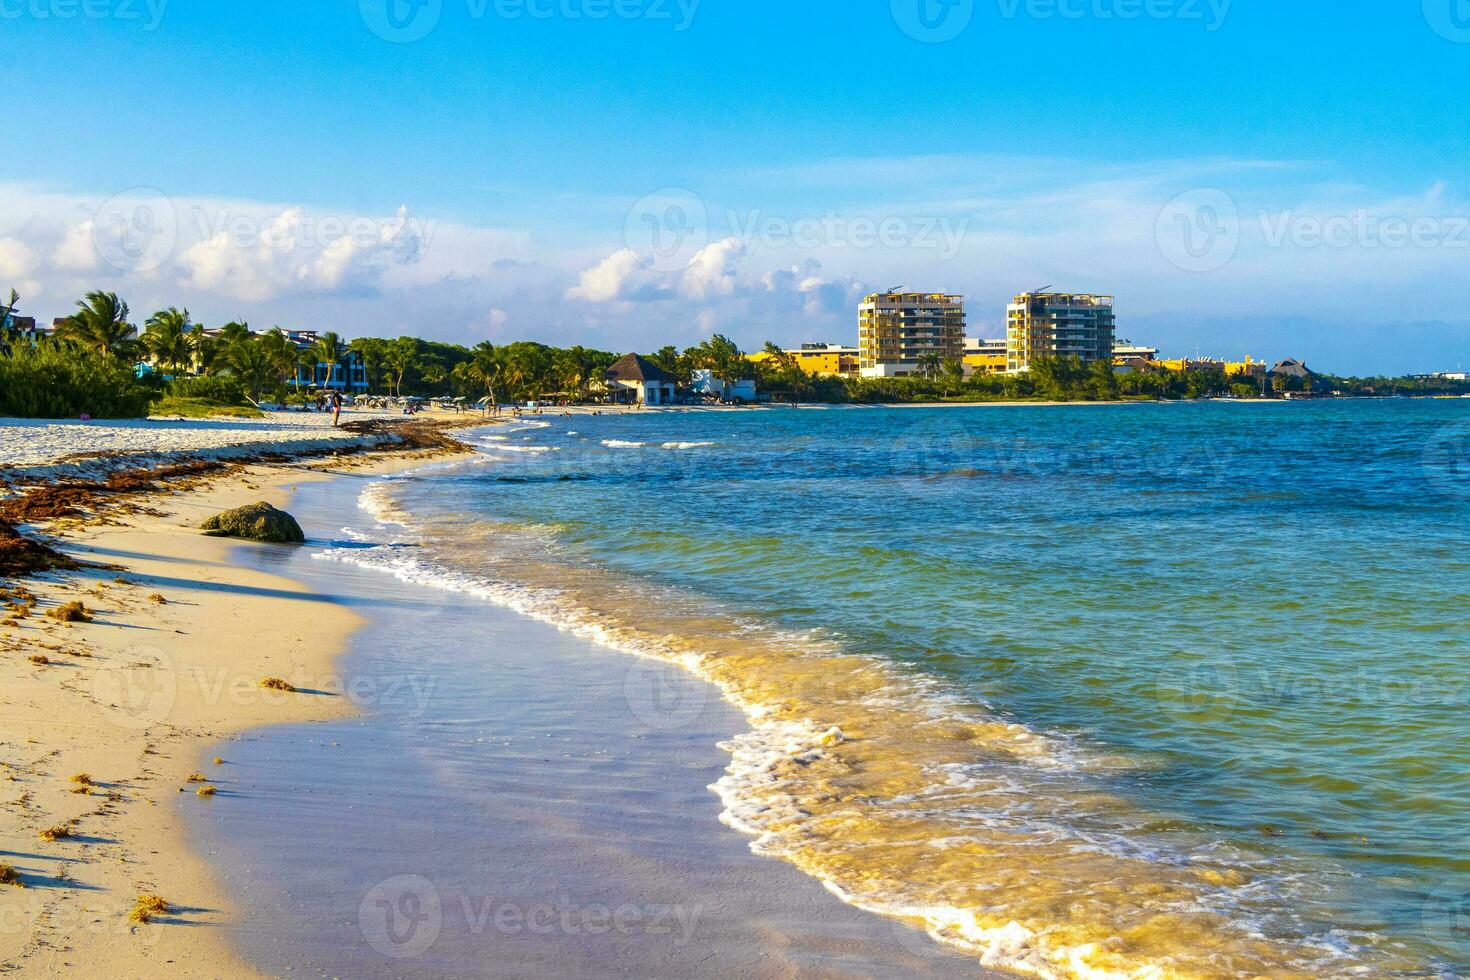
902,333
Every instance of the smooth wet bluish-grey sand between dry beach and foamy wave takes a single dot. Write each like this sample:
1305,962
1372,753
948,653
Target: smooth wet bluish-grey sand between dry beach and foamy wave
511,801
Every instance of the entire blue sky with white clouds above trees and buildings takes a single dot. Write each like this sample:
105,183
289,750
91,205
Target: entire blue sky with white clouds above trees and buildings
1277,180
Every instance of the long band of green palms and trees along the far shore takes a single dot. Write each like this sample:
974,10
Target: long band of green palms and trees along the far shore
87,370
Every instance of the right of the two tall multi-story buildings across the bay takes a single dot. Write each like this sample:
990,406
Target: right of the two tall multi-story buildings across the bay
1058,325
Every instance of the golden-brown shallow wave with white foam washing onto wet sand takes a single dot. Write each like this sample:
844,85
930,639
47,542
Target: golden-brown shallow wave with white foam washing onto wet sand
908,800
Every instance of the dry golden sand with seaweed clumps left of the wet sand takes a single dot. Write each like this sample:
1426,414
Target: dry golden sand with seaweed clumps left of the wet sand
135,700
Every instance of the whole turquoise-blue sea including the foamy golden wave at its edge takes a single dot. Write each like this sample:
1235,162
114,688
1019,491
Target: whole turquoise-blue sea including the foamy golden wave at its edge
1215,655
